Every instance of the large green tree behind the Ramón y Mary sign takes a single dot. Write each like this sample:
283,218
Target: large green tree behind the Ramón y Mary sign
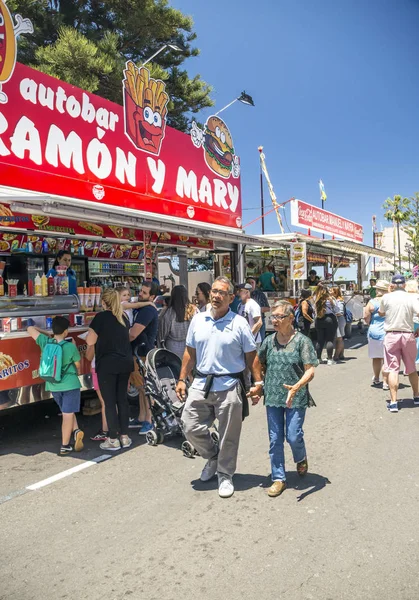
87,43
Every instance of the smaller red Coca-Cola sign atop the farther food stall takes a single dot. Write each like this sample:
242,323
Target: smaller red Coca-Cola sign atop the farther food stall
310,217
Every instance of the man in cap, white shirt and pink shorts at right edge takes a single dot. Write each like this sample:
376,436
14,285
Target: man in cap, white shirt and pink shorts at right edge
399,308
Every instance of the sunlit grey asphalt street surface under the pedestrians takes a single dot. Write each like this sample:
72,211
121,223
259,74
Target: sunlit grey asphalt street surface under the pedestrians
141,525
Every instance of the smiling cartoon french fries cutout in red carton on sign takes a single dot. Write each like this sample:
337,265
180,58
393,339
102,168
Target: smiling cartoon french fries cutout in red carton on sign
145,101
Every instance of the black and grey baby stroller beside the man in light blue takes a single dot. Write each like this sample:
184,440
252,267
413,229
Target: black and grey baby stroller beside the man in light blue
162,371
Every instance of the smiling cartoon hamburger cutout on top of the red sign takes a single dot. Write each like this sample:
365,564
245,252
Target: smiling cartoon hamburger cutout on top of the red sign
218,147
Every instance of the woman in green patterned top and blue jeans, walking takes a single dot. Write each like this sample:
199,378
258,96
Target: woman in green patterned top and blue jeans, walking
289,359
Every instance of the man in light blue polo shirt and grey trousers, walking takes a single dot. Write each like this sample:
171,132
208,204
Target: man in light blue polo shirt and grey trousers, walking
219,345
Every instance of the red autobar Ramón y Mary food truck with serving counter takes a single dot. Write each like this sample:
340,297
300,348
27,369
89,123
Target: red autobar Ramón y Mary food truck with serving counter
114,186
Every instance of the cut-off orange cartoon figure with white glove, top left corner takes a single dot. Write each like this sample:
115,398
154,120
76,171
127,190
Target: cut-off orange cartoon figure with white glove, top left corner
8,46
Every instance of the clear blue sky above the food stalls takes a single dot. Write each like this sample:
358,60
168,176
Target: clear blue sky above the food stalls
336,88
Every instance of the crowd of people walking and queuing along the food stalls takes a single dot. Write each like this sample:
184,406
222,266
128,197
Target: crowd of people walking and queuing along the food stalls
227,359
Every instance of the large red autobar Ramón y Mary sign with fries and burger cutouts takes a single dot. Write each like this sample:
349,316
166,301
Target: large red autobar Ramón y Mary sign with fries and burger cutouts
58,139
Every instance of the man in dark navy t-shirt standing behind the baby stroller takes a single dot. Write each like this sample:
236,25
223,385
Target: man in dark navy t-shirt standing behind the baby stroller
143,335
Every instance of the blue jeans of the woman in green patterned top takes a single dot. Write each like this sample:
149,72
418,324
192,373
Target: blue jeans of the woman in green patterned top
285,423
